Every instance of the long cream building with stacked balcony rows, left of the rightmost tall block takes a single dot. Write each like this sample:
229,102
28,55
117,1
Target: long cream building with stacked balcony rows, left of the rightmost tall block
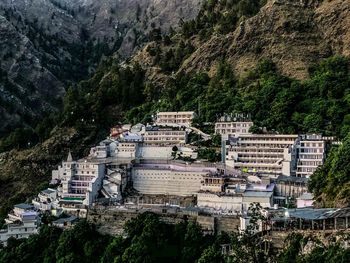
267,153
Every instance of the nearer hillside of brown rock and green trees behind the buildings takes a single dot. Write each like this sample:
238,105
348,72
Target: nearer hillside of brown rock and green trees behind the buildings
160,77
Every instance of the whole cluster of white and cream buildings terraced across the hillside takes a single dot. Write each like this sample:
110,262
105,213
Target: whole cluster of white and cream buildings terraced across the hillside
155,160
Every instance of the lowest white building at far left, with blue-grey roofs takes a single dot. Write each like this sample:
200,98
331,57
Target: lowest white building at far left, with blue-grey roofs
22,222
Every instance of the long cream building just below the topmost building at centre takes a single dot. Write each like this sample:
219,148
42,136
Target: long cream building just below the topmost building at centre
164,135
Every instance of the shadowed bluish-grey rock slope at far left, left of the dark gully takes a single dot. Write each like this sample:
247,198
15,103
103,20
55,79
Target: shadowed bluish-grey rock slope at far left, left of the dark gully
27,88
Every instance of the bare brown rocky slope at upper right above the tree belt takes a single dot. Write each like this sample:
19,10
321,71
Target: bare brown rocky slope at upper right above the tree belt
294,34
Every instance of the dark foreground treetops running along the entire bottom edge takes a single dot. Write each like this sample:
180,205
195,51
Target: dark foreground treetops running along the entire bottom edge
148,239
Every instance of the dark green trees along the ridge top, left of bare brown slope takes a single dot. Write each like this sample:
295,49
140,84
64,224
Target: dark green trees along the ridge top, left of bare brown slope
215,18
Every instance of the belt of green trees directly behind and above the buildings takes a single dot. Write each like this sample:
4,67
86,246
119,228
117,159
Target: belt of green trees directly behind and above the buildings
115,93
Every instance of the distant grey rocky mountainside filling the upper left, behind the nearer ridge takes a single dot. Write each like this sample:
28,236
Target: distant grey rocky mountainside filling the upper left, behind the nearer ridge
46,44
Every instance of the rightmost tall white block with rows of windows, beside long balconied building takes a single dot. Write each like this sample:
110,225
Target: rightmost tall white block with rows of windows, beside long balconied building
311,154
